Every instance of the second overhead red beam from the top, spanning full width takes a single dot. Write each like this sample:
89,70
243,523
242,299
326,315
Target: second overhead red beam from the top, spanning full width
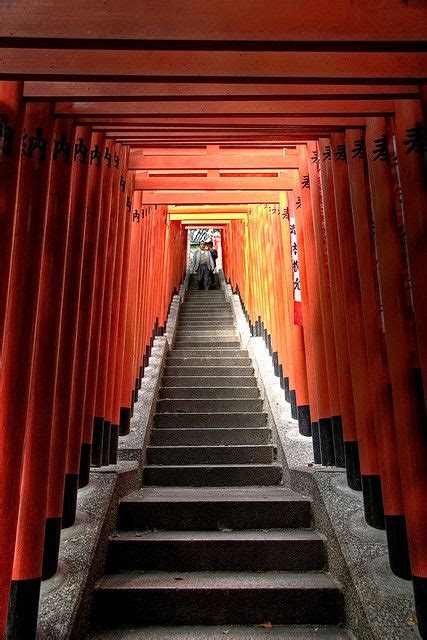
169,65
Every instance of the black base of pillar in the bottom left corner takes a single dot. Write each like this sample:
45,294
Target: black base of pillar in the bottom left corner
23,609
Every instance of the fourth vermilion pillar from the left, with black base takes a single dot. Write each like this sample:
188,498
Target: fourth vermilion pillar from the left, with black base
67,348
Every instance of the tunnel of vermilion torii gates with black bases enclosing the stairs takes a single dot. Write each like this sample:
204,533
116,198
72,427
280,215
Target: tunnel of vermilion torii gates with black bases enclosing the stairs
298,130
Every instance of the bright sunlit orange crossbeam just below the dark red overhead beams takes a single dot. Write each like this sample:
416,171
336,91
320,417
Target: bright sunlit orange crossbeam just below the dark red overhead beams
139,161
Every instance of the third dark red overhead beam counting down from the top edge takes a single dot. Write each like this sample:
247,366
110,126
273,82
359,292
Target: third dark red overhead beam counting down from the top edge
184,91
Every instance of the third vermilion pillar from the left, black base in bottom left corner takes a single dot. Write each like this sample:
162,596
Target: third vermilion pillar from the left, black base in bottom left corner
27,568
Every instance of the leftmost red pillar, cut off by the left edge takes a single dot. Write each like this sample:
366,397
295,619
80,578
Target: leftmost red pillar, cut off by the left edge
11,116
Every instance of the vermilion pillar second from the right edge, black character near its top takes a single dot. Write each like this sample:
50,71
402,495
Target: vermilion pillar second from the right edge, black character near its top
408,407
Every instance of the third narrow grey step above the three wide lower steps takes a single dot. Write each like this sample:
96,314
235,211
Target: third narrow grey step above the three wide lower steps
208,436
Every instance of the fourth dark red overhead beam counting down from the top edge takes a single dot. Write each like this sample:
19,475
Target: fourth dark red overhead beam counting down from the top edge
281,107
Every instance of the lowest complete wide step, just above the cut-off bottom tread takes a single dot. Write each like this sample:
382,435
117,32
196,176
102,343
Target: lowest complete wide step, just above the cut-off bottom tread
218,598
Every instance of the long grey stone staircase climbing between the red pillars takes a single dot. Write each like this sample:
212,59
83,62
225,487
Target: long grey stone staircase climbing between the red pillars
213,538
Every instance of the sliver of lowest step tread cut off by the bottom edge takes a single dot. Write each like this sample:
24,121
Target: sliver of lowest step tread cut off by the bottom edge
276,632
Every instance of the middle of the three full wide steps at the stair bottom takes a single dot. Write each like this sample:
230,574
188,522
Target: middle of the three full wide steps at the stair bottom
217,551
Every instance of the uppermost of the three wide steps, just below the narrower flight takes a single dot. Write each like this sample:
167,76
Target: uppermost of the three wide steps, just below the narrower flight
207,509
